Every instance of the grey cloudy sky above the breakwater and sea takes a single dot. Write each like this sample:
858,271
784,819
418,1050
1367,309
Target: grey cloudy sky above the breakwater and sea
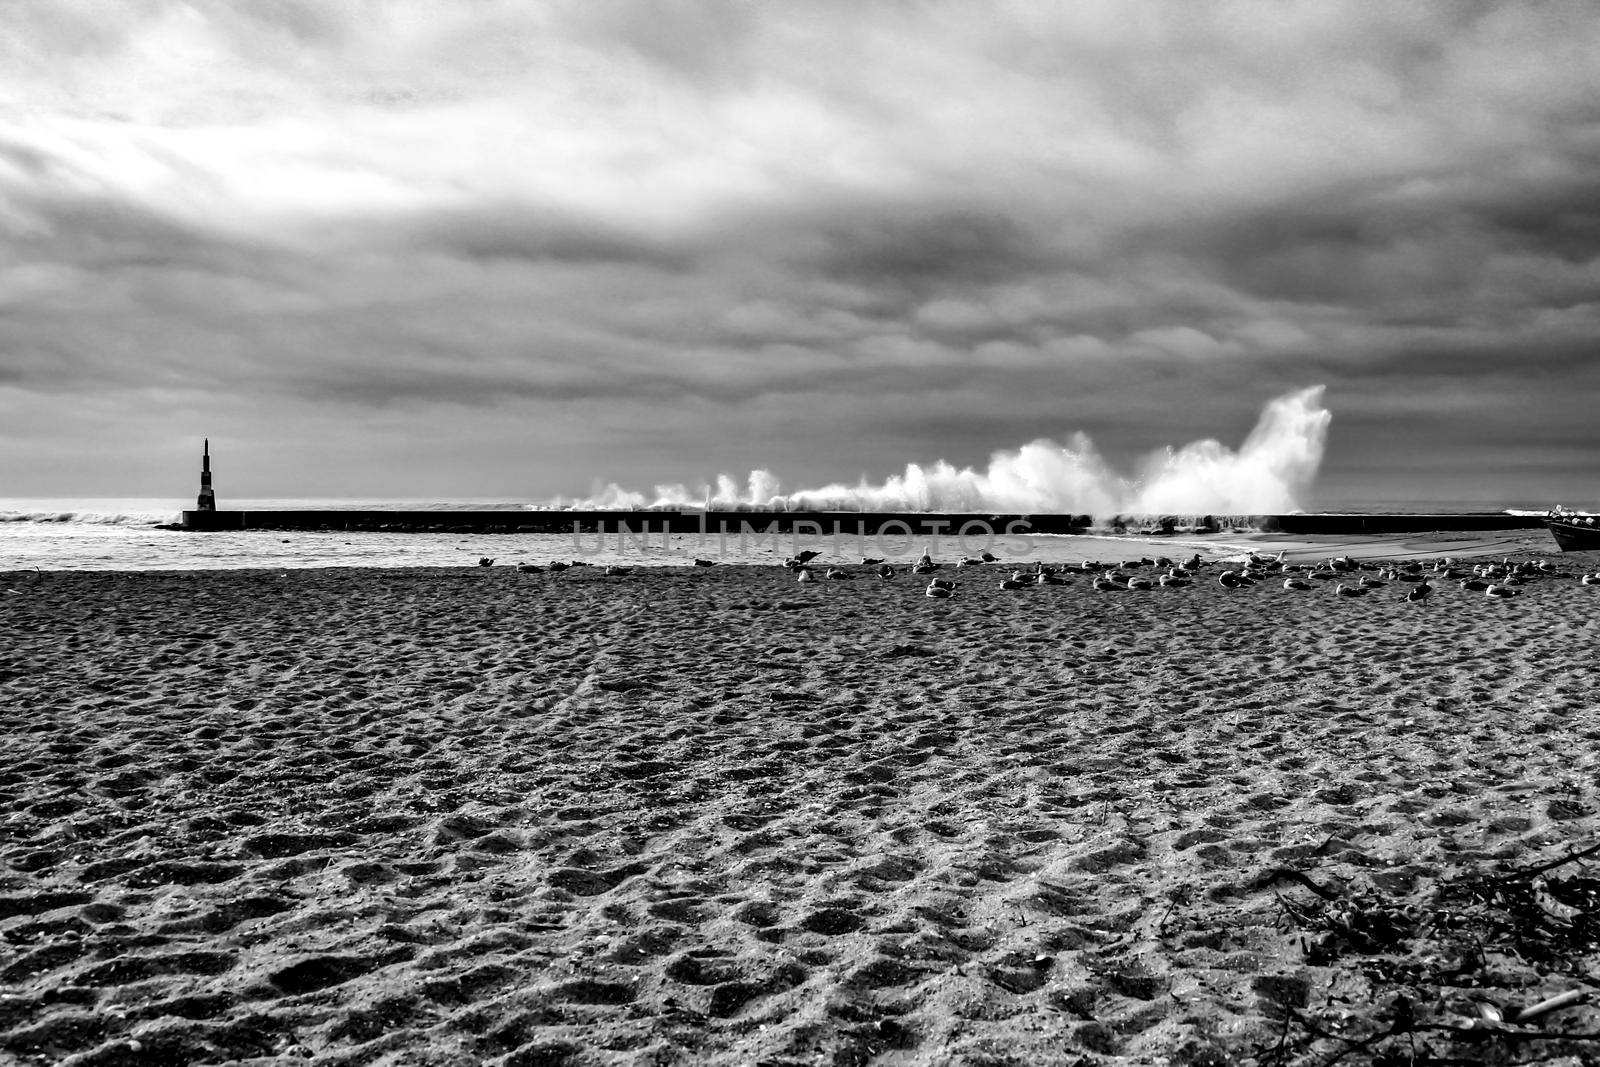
513,250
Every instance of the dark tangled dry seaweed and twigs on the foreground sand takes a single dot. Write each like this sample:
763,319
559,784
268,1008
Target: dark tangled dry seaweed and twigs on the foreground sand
1479,969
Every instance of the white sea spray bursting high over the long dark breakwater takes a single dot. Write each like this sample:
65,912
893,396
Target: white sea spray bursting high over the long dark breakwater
1268,474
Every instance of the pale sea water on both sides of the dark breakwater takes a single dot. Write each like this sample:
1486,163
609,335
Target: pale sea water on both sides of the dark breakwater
122,535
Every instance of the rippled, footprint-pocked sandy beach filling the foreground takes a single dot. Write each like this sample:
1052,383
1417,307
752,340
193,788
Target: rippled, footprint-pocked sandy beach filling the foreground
716,817
